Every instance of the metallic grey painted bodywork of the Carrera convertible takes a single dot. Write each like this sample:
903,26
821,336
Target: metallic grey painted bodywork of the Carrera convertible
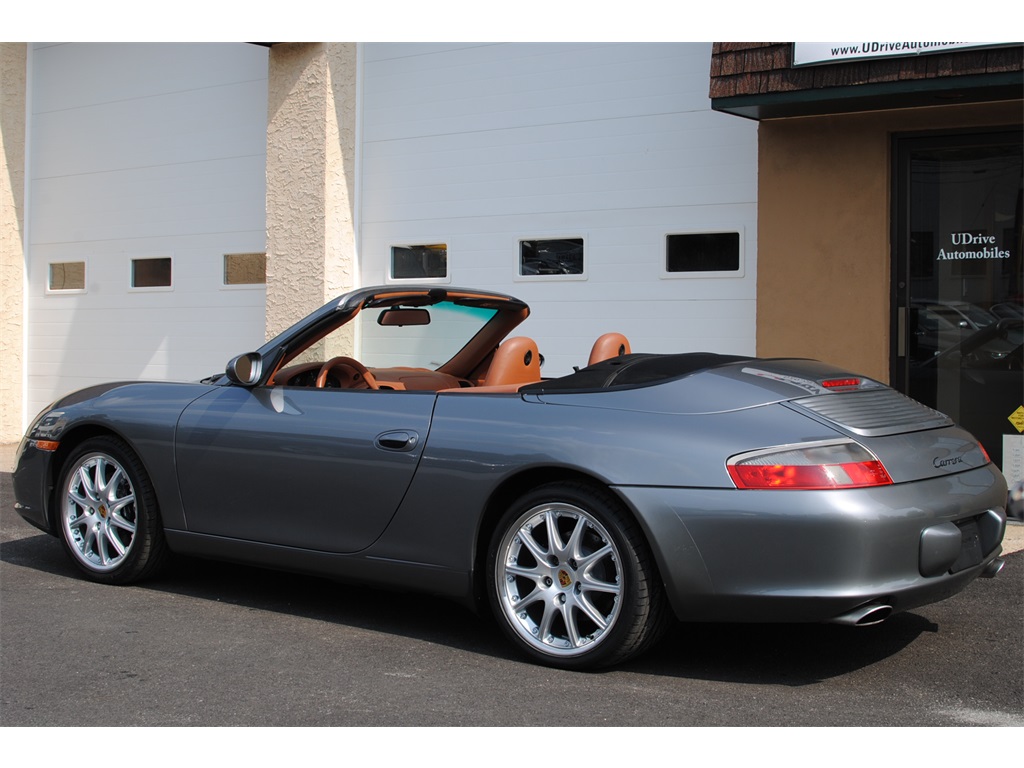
238,481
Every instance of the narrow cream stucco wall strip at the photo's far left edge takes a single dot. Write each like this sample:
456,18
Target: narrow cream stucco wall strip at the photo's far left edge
13,92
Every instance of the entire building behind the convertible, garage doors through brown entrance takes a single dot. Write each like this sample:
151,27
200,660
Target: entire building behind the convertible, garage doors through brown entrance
166,207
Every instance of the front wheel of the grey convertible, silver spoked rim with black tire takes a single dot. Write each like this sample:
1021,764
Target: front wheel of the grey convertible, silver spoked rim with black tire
109,521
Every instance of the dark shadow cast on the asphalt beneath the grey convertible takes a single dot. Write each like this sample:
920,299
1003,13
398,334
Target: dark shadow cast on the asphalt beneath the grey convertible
760,654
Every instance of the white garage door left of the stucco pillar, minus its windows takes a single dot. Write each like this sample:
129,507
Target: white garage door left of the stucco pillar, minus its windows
136,151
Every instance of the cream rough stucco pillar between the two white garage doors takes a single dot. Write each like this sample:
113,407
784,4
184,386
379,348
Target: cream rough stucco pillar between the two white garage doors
311,177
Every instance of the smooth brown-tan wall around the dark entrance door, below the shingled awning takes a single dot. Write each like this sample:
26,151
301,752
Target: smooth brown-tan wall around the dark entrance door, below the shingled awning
824,230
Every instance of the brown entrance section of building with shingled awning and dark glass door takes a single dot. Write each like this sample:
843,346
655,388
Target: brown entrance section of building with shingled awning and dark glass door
890,217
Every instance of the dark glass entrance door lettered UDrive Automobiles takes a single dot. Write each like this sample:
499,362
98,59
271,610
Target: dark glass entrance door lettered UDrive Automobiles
958,285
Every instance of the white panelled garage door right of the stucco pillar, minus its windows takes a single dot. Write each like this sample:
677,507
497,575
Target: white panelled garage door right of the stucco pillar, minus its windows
482,146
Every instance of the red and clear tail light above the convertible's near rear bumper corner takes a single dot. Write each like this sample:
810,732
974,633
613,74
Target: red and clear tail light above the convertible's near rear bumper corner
816,466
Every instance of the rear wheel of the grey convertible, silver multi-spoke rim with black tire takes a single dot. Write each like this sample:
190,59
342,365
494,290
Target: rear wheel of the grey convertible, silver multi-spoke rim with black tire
572,581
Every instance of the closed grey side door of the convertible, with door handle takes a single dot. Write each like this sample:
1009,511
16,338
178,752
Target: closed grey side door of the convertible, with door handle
320,470
